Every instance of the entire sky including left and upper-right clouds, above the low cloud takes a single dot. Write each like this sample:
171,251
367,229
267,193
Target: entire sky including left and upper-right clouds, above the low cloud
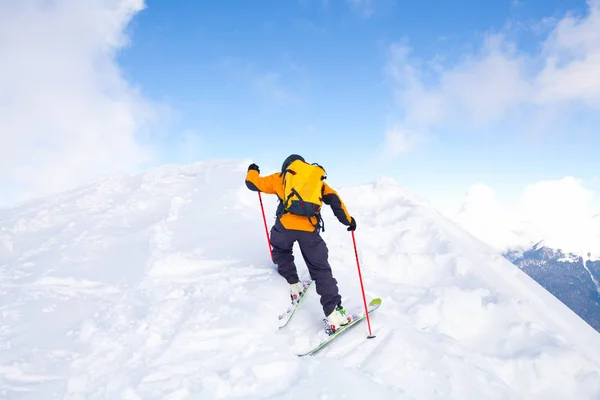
439,95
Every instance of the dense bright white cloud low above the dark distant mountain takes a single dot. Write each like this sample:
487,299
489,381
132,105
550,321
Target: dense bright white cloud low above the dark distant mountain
560,212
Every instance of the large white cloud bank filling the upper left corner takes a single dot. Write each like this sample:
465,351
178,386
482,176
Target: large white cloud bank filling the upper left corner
66,113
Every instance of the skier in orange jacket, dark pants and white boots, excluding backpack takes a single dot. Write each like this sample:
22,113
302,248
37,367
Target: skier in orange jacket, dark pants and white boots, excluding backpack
290,228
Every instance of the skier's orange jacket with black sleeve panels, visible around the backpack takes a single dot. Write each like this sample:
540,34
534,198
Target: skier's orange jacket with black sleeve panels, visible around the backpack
273,184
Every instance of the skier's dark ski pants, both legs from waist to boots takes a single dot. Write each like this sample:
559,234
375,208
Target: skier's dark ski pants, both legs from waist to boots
315,254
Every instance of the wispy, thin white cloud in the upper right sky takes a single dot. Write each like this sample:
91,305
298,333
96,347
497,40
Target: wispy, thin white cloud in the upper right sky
500,84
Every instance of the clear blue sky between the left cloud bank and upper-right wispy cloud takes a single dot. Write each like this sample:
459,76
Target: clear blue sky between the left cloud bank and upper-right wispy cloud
249,81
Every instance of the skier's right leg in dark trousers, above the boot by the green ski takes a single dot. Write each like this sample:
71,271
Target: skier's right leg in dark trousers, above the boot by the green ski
315,254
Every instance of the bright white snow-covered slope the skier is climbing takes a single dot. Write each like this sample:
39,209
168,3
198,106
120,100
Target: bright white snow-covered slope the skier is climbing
160,286
